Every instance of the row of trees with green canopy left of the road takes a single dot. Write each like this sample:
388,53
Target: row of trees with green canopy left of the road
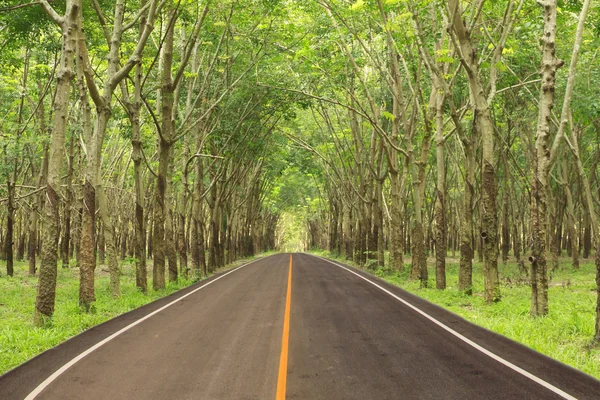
136,129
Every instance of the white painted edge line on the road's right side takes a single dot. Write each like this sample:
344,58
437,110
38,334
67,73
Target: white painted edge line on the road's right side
488,353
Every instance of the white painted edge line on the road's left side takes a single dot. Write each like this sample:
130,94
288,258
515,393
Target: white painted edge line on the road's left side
68,365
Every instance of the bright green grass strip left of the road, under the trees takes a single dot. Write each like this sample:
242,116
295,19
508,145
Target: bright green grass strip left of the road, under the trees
20,340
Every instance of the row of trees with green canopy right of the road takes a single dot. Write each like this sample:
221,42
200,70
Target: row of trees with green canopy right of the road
455,126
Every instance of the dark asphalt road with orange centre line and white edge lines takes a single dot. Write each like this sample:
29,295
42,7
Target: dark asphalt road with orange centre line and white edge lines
304,328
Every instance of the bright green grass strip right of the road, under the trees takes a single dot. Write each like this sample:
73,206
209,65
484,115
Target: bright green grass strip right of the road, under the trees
565,334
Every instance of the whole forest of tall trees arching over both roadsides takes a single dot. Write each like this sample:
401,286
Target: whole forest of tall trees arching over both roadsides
409,137
